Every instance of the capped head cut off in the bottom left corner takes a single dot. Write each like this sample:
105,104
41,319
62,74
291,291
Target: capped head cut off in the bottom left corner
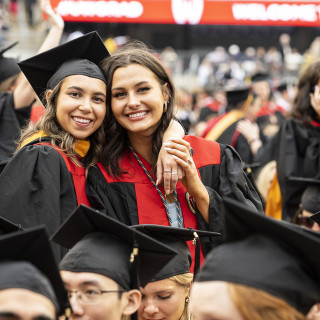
30,283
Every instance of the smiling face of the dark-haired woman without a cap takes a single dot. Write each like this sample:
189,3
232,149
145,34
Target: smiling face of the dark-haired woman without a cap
137,100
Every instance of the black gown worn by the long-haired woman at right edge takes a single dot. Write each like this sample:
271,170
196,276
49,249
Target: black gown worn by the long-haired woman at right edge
296,148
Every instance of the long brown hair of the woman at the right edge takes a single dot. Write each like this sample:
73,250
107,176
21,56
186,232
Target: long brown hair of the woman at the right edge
302,108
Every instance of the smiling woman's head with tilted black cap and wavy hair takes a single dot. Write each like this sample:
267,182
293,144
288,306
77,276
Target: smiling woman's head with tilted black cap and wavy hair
70,83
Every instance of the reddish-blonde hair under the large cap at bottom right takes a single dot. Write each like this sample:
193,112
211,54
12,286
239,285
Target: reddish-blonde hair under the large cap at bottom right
255,304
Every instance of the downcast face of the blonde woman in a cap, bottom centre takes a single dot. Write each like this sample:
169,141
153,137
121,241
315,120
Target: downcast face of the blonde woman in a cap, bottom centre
164,299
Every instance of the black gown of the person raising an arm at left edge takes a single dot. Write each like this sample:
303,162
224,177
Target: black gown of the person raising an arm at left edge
11,122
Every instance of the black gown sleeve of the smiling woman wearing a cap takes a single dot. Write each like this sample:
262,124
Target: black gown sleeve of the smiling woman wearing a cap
37,189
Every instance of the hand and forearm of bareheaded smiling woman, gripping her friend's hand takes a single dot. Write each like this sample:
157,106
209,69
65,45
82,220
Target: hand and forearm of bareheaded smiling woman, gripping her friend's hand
182,153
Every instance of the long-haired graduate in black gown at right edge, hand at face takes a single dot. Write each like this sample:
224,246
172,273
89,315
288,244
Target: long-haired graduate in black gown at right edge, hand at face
295,148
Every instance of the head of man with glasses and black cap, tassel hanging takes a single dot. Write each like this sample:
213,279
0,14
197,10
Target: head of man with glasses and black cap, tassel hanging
105,264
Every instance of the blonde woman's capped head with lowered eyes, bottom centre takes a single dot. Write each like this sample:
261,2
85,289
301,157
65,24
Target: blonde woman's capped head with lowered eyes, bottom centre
166,296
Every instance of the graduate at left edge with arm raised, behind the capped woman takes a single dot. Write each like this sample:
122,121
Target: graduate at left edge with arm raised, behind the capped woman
17,95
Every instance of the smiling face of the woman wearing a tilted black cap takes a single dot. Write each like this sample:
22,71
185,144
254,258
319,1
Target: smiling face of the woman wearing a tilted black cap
81,105
